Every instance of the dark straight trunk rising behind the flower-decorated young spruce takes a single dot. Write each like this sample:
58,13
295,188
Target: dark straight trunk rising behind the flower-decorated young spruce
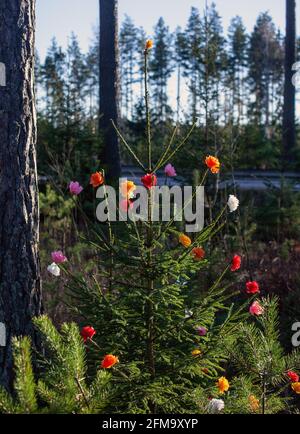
109,84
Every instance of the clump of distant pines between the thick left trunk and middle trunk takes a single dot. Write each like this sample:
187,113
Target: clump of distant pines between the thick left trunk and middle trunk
68,138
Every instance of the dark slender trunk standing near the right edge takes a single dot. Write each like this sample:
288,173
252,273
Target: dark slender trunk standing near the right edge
289,129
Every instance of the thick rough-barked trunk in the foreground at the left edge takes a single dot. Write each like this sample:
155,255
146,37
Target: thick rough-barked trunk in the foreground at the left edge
20,295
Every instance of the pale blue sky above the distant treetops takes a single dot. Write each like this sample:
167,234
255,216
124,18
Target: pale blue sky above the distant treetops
60,17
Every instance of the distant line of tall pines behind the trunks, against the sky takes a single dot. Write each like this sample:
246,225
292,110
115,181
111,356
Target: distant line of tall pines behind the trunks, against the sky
233,84
